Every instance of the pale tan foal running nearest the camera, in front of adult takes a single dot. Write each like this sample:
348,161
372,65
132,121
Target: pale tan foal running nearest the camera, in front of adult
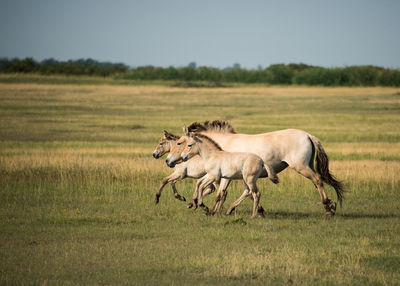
228,165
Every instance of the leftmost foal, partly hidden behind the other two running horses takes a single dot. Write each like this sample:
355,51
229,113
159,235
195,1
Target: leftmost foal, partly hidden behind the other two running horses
193,169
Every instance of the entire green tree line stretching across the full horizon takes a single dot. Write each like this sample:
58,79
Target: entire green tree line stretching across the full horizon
282,74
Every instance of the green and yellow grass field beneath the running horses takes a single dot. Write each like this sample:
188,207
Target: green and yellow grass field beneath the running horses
77,185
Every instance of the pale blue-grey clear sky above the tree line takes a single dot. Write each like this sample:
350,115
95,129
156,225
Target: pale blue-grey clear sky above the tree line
214,33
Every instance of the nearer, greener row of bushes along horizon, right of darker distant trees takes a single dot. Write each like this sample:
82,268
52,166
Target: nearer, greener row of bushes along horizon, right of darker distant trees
281,74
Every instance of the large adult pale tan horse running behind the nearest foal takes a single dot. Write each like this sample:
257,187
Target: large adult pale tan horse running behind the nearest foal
291,148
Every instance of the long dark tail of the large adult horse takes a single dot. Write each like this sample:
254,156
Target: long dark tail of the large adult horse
322,168
